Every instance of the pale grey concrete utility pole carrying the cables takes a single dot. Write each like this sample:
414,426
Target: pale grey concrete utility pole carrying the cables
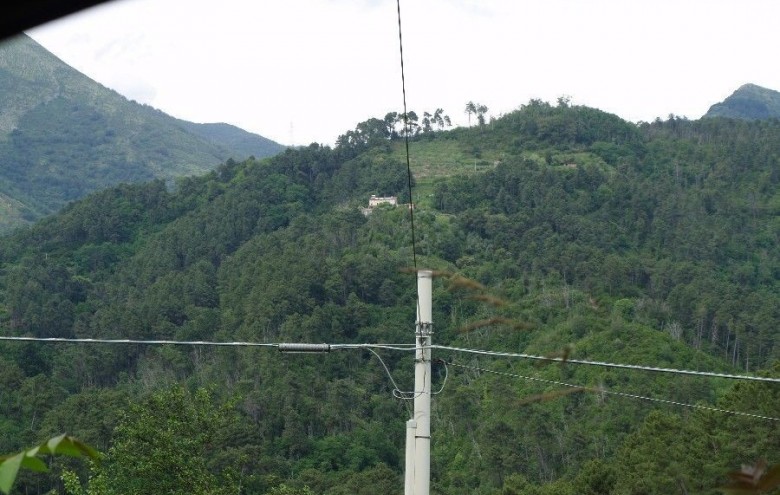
418,429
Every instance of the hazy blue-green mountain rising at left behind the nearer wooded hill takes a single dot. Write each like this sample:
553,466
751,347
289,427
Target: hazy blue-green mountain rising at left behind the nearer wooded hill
63,135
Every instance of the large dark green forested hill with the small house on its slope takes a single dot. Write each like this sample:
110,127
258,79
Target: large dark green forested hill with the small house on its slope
555,231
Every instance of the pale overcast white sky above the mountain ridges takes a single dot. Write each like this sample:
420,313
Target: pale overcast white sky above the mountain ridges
300,71
